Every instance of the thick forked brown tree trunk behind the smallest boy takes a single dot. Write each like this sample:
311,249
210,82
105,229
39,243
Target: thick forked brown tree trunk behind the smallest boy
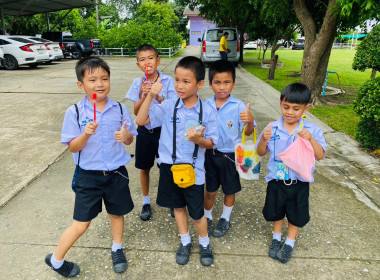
317,46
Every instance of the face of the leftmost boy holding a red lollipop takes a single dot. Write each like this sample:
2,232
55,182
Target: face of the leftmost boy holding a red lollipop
97,82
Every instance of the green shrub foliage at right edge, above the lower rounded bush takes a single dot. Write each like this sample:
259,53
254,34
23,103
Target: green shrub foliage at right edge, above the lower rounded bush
368,53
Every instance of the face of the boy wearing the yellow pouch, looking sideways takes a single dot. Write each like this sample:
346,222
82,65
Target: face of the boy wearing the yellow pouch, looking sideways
186,84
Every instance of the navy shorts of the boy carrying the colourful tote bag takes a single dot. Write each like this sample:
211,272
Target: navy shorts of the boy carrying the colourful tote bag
221,170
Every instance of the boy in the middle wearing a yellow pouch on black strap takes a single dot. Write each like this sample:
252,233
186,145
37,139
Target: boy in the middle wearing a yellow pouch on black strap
188,128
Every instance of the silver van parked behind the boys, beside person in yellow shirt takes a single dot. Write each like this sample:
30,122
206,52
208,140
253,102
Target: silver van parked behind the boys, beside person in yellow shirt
211,44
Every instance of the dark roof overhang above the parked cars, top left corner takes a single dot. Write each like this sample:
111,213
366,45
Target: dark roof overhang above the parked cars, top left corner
31,7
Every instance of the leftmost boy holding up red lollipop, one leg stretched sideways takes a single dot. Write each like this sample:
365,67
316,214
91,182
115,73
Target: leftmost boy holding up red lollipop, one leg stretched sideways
98,150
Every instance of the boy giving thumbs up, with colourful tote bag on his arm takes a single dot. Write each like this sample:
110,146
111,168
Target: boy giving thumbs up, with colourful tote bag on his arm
220,166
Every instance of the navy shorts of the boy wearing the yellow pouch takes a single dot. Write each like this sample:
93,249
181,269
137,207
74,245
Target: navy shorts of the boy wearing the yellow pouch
171,196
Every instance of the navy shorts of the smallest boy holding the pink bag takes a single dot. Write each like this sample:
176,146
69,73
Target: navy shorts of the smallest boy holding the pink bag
290,201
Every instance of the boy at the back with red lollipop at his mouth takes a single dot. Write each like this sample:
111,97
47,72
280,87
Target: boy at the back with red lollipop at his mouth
148,137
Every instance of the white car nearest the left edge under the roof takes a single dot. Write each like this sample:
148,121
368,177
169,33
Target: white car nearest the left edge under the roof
21,51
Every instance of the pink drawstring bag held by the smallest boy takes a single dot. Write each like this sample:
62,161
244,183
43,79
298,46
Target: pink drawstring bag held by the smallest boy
299,156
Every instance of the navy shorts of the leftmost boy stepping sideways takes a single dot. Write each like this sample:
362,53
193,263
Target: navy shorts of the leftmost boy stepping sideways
94,186
